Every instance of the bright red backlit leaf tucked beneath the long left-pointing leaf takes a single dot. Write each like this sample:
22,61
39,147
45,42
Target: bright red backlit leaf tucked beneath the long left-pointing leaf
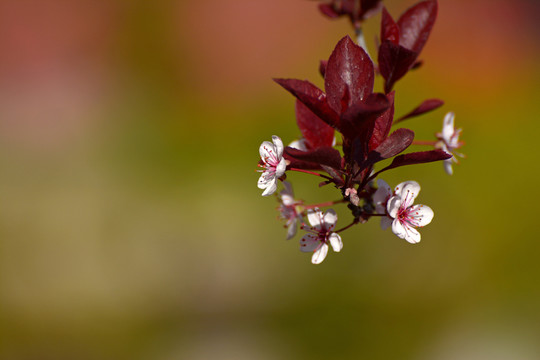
316,132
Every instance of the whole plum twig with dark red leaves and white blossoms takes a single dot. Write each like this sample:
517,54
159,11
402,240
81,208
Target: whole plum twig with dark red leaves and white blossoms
350,134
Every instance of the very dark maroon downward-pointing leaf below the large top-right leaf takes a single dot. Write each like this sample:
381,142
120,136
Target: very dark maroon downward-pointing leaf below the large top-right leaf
394,62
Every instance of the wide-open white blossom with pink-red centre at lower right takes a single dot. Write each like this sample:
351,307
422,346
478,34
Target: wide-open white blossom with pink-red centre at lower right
406,216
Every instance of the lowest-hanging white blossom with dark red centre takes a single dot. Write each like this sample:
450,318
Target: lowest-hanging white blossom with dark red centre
320,234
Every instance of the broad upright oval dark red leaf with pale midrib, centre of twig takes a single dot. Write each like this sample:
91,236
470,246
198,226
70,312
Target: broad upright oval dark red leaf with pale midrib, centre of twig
349,75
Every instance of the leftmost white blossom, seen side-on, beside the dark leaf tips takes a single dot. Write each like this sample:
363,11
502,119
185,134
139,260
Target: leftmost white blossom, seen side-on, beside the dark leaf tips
273,162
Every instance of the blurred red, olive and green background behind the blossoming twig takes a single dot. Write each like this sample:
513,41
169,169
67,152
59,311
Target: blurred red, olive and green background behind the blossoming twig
131,226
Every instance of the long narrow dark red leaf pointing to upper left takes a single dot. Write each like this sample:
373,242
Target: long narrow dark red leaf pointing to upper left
311,96
